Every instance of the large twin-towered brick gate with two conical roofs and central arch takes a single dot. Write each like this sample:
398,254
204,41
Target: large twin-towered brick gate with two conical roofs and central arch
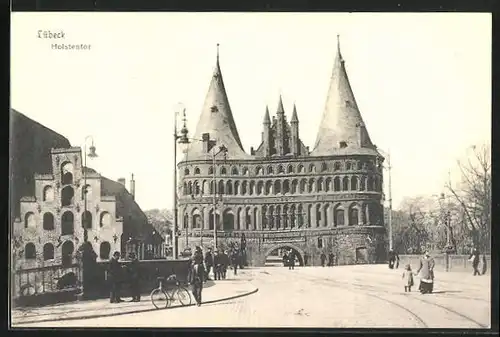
282,191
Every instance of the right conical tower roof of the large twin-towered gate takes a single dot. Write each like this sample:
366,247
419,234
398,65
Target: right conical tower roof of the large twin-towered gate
341,121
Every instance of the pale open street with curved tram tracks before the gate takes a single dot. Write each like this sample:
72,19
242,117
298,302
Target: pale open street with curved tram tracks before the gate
343,297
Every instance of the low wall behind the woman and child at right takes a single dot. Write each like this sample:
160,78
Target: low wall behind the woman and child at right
456,263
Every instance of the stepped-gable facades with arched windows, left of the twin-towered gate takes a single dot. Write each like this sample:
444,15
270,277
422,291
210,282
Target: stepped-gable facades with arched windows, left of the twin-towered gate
51,224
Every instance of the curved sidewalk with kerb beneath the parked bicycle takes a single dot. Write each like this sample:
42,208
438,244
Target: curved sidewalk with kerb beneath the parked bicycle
220,291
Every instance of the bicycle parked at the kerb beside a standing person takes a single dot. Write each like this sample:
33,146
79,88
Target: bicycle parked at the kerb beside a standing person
164,295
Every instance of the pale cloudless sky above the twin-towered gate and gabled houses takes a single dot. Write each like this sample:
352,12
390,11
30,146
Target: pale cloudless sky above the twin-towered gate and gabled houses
422,83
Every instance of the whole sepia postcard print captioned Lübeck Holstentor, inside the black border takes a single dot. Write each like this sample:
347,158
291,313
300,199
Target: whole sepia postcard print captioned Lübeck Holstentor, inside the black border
257,170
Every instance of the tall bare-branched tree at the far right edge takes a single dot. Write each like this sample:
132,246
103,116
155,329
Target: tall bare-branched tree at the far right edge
473,193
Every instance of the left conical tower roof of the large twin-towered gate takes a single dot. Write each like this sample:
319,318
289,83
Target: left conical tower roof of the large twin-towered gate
217,119
